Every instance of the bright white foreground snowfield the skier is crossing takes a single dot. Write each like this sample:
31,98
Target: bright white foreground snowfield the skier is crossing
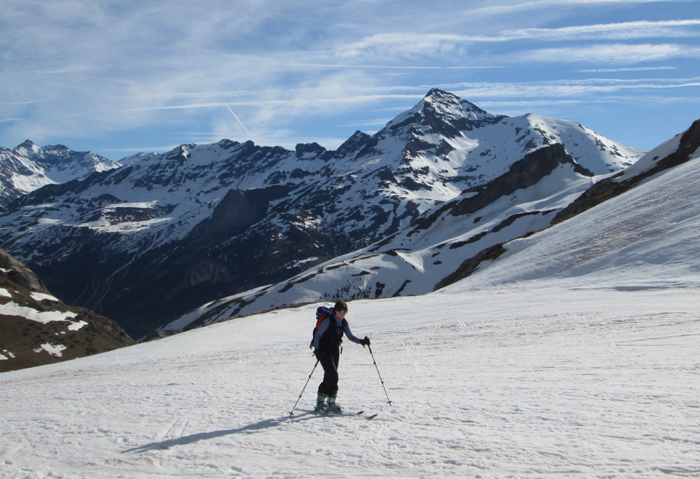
504,382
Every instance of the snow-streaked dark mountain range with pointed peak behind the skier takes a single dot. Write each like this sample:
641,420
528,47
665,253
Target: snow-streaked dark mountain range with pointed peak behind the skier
409,209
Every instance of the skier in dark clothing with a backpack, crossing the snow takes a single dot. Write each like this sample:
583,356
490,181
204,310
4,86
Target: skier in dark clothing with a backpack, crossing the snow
327,350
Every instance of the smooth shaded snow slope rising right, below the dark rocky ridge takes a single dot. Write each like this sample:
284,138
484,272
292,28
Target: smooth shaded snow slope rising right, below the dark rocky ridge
644,236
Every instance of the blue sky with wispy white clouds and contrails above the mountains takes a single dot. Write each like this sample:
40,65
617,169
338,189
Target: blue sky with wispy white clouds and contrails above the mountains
120,77
